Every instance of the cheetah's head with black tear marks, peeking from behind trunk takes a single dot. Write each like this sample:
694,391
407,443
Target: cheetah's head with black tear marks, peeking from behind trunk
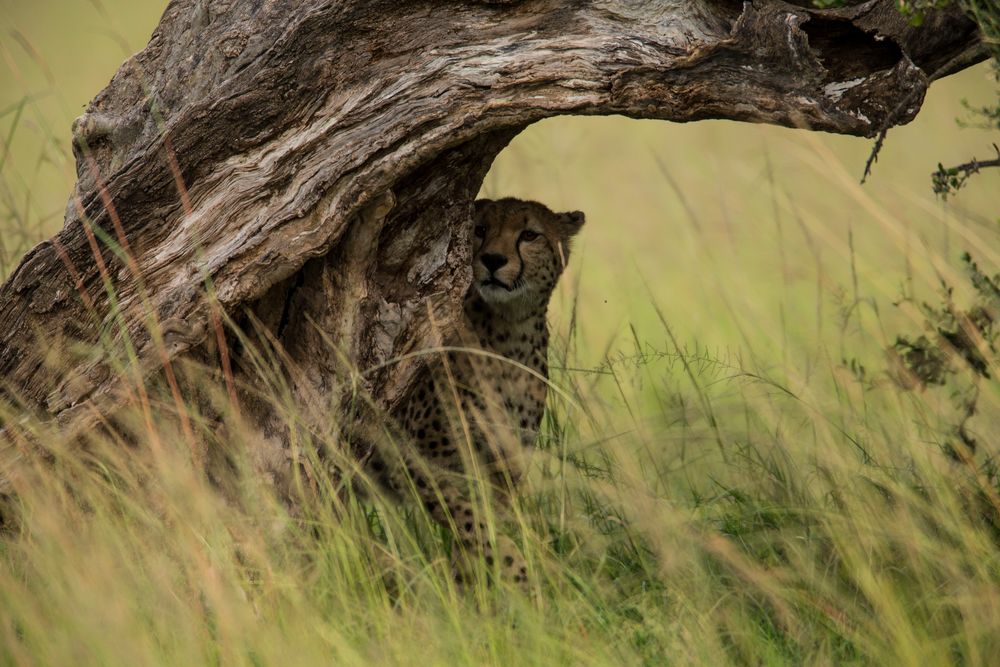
520,249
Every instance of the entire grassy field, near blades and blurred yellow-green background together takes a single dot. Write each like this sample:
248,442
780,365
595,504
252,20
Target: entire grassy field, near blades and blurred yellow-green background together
730,472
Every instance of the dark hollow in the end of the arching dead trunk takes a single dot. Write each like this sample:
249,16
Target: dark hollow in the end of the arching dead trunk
848,52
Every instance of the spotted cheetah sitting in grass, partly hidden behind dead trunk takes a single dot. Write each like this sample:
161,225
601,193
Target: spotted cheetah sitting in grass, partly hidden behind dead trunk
477,409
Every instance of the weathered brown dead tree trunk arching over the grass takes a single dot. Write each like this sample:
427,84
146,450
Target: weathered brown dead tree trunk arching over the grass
315,161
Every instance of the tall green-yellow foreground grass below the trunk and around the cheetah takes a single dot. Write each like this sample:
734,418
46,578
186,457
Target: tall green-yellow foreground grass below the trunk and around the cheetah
683,507
